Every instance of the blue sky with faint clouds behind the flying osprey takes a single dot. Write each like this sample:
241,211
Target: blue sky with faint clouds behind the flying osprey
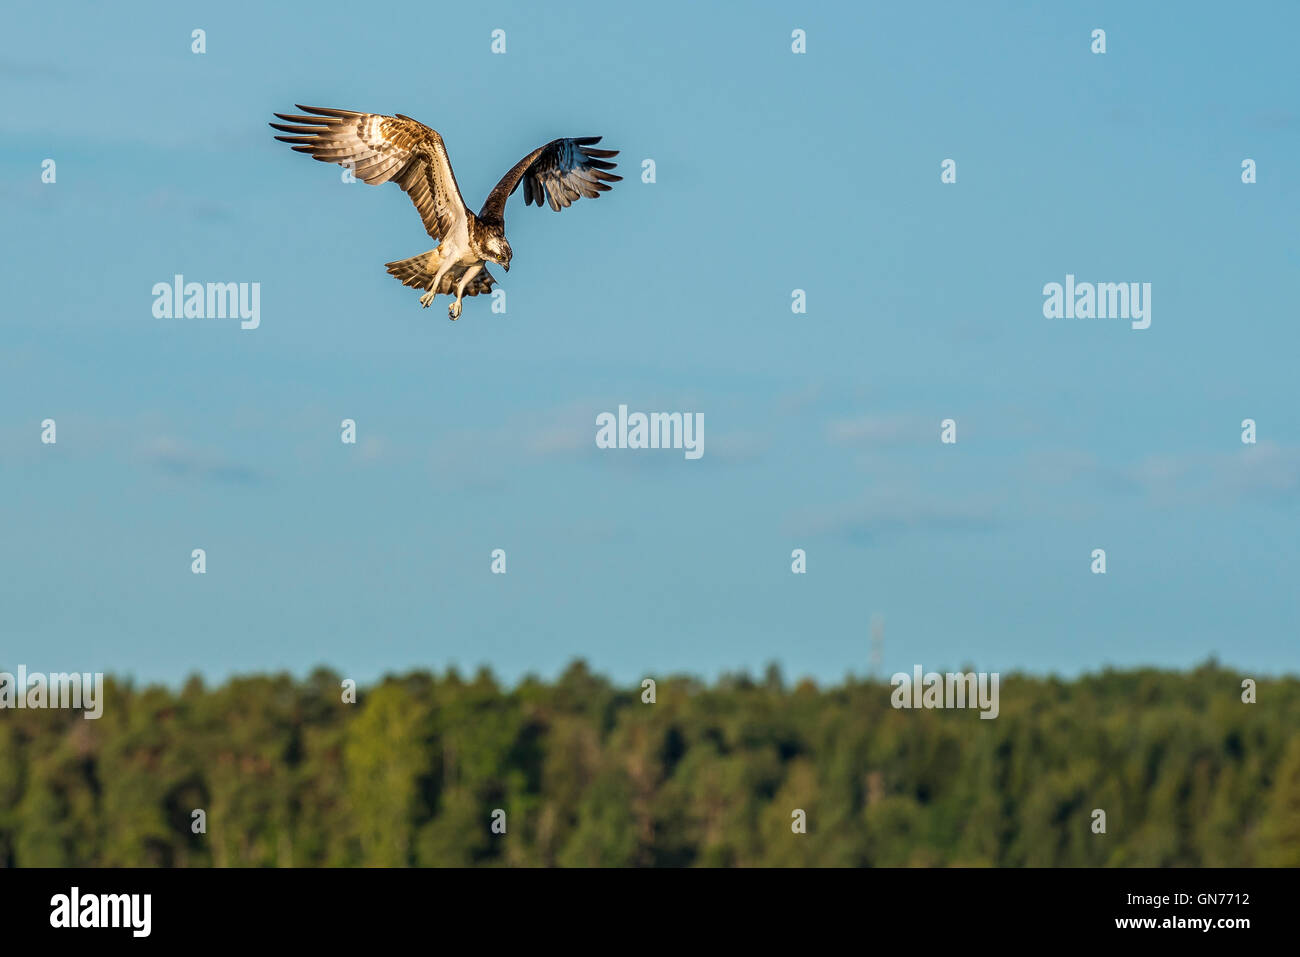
774,172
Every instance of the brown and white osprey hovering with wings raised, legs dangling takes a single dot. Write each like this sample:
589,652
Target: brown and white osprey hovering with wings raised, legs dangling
380,149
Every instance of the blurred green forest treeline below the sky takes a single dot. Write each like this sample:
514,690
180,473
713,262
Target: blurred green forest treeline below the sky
588,774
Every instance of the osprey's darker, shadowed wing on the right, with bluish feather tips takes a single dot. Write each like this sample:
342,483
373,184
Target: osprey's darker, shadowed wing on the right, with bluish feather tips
562,171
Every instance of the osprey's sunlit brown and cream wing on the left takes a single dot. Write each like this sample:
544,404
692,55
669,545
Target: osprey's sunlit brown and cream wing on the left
380,149
